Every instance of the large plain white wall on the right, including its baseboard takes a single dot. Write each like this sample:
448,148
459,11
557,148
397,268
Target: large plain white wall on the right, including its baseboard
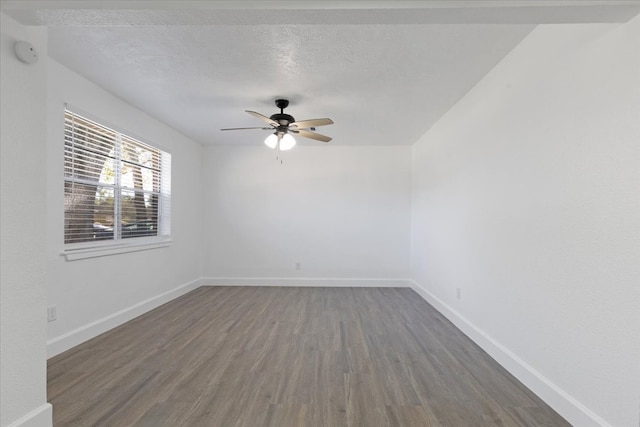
526,196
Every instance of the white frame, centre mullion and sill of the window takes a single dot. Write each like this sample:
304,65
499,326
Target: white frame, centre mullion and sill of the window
118,244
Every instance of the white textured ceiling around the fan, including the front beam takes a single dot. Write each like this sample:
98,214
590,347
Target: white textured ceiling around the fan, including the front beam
385,72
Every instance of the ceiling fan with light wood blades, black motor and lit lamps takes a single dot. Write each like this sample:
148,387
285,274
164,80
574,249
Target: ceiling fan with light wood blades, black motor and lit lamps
284,125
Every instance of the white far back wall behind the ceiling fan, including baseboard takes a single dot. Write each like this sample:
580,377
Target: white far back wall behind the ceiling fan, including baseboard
342,212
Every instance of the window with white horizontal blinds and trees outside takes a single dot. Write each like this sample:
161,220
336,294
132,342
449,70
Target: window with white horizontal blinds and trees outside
115,187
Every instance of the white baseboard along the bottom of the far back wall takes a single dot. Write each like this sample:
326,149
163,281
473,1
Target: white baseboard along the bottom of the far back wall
305,282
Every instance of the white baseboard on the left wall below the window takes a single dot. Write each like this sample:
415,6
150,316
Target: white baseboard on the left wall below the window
70,339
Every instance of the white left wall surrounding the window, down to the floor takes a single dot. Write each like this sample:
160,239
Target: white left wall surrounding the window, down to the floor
93,295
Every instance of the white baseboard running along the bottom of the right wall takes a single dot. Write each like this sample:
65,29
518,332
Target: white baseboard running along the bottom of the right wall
563,403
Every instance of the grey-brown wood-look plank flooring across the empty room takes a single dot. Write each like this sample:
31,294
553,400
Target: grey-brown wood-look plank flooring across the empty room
289,357
